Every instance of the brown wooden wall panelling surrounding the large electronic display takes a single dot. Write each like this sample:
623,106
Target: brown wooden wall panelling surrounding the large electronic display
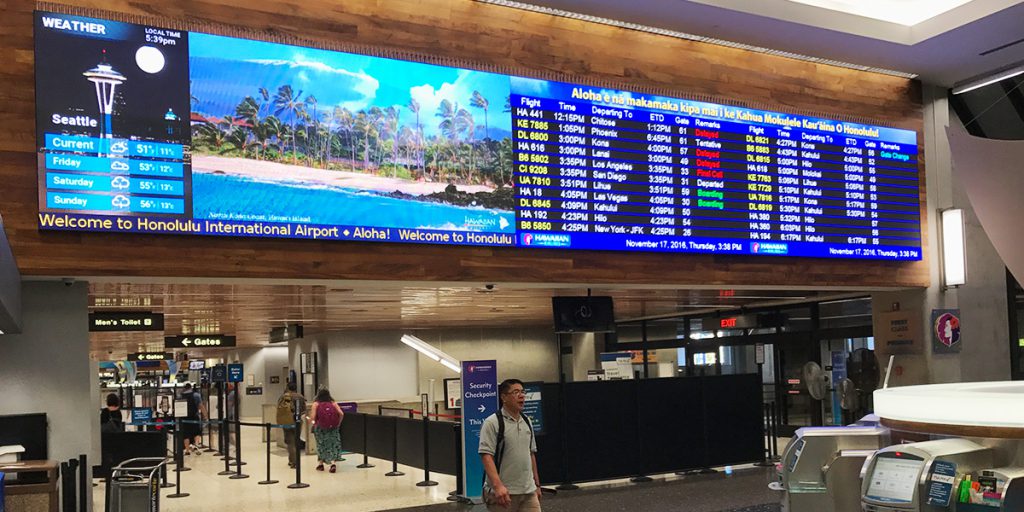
494,38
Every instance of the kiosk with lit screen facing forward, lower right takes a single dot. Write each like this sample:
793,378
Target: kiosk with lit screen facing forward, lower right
921,477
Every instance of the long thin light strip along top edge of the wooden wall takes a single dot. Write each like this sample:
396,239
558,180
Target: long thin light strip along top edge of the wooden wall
692,37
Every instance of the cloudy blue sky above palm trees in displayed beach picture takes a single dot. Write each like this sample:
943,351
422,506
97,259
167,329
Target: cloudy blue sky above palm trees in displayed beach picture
225,70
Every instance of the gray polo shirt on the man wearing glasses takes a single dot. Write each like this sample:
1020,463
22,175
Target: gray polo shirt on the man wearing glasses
518,466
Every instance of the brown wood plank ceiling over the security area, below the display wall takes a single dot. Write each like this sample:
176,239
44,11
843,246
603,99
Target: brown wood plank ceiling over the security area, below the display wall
250,311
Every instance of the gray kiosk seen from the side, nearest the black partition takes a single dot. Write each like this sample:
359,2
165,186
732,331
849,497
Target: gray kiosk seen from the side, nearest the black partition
822,467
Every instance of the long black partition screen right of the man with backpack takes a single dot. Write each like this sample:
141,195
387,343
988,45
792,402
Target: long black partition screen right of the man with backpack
614,430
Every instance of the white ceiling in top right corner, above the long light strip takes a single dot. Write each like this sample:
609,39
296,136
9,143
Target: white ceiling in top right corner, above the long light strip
944,50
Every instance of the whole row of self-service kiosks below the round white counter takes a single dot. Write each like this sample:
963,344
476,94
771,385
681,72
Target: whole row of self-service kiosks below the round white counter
854,470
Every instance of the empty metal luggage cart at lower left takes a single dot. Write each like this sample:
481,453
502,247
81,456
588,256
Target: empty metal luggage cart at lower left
135,486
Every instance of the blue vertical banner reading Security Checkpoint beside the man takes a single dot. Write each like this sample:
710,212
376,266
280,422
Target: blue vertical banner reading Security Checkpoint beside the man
480,400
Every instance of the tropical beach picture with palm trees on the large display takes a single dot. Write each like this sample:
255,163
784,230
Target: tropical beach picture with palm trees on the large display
284,134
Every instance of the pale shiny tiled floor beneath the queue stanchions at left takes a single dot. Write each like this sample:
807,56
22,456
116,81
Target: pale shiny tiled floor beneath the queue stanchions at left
350,490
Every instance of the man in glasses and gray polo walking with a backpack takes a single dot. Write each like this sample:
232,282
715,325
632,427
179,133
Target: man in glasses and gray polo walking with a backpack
508,451
